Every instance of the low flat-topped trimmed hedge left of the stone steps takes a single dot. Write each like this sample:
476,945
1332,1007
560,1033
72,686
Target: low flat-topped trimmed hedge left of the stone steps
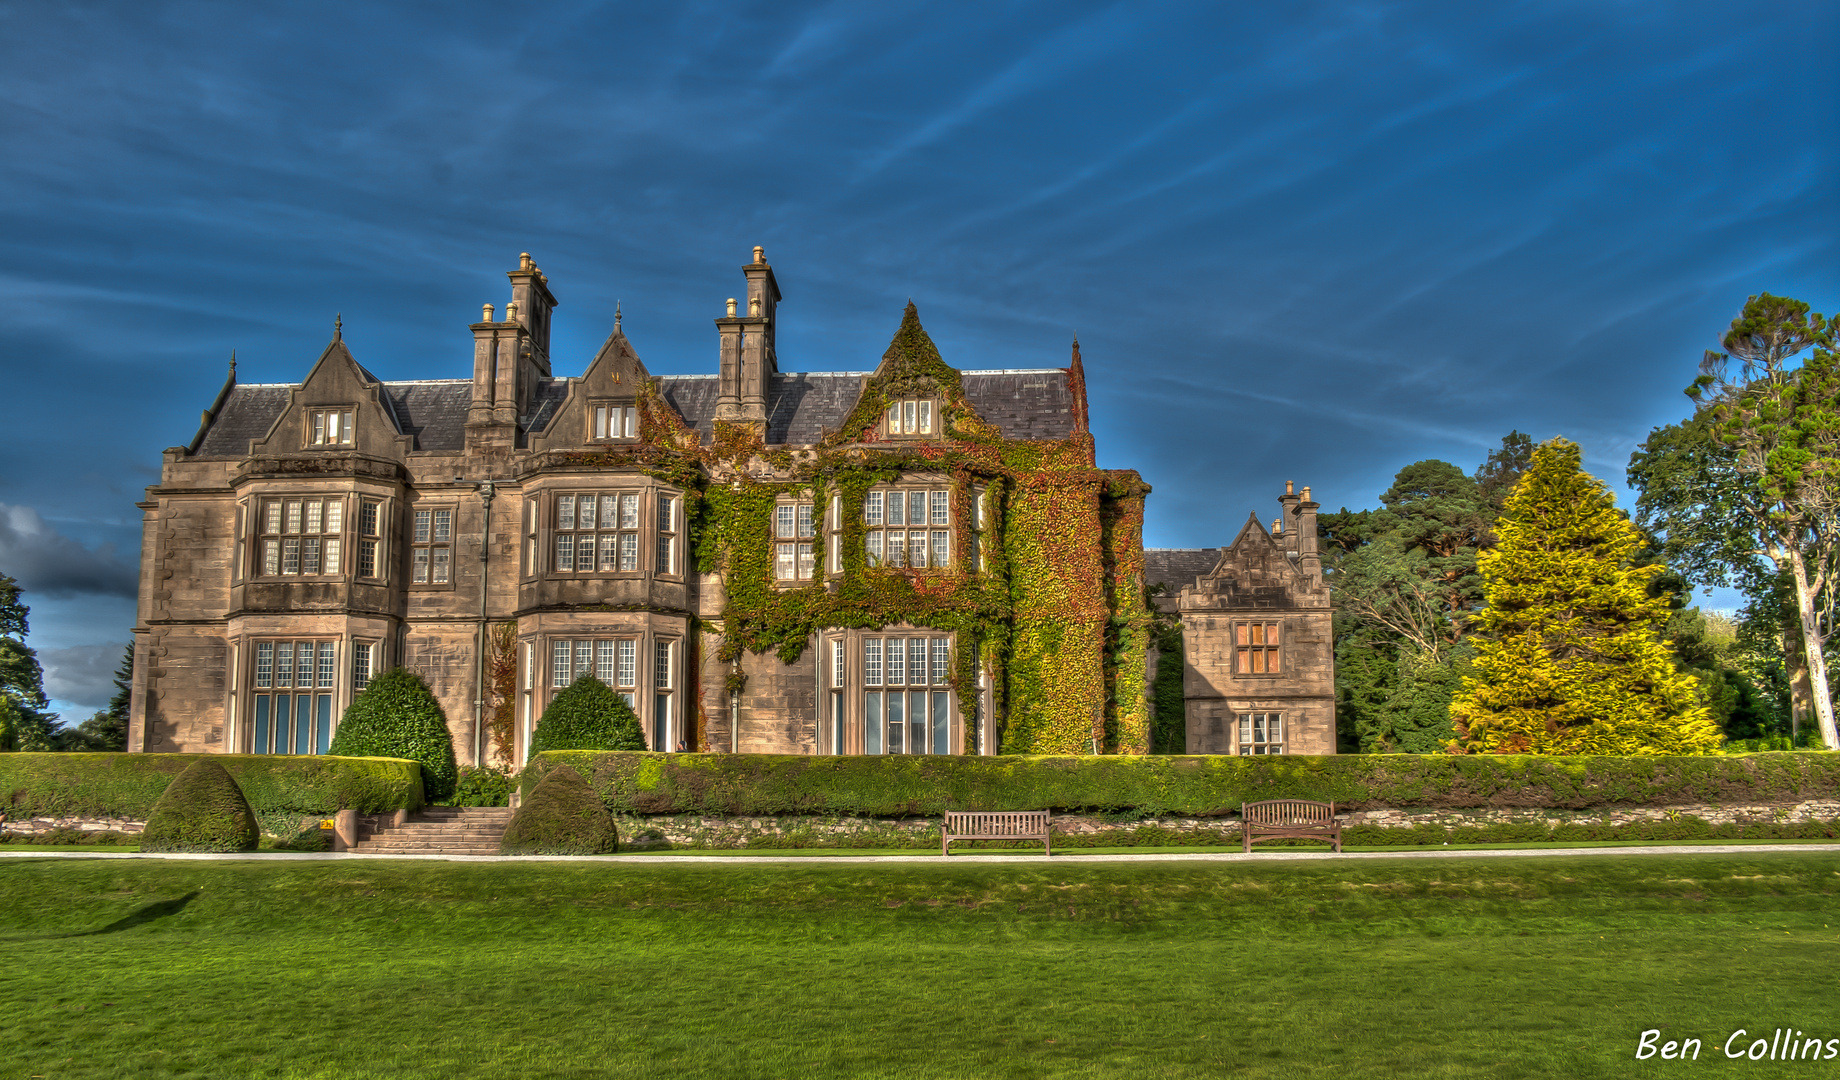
281,790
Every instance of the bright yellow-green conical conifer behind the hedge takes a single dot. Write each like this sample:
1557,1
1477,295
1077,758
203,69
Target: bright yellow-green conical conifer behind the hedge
1570,658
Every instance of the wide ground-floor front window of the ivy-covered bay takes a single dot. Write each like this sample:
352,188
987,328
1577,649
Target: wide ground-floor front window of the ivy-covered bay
906,704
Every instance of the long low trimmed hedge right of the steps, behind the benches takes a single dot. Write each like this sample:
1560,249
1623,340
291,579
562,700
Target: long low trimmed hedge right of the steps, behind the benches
910,787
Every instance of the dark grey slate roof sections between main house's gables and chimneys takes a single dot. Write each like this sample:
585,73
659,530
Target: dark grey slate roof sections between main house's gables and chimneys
801,408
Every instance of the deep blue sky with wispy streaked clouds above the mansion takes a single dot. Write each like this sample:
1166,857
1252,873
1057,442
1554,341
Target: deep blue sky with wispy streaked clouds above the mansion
1302,242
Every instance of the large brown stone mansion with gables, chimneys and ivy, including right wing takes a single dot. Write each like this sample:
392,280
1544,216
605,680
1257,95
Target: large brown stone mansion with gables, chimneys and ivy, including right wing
904,560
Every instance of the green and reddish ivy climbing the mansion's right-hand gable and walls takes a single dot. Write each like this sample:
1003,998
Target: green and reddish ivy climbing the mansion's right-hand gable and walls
1055,606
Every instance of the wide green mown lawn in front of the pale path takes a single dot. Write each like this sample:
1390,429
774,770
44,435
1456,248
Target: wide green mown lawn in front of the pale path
1537,967
